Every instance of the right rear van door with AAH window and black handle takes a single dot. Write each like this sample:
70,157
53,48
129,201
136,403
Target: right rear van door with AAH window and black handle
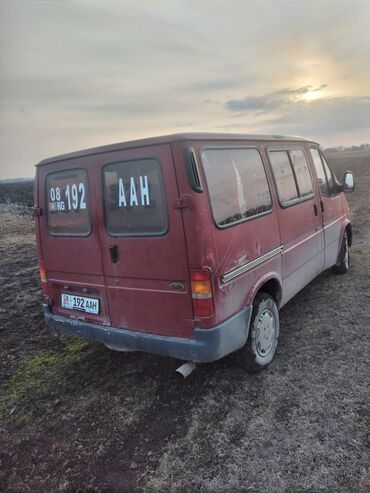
143,244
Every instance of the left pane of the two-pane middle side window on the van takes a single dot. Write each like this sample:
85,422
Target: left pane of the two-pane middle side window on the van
284,177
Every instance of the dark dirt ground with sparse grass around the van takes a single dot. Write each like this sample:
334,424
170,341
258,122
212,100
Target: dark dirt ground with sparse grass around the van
75,416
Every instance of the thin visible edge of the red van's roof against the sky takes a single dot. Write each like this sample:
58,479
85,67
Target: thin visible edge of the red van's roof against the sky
165,139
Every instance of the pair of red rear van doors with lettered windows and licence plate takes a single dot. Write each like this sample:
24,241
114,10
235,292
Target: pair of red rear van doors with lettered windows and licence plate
111,234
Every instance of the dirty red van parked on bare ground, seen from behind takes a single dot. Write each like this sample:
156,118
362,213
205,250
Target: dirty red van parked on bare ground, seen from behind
187,245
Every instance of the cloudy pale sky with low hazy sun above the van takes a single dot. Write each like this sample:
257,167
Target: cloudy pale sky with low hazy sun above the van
76,74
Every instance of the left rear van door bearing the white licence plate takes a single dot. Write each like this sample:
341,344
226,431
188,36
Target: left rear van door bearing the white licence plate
69,240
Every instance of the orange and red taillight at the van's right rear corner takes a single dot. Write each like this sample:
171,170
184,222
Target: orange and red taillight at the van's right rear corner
201,292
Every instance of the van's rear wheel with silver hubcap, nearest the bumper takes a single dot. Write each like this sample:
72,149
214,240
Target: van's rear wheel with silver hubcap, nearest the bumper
263,336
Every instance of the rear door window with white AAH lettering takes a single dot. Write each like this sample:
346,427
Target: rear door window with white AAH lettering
135,203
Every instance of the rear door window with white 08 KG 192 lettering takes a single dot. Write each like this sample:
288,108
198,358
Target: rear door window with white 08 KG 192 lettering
67,203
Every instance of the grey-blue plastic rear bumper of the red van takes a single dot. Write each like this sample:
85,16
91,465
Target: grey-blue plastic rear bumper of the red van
207,345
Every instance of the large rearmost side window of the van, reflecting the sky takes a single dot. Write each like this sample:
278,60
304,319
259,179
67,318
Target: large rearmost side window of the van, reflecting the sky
237,184
